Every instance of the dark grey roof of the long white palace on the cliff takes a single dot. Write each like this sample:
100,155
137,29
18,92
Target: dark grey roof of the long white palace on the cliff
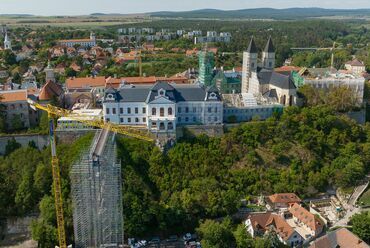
176,93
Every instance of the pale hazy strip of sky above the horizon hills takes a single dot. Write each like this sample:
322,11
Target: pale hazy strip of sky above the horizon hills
76,7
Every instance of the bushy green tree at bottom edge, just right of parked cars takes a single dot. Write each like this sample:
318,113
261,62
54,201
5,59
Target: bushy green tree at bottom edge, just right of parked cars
216,235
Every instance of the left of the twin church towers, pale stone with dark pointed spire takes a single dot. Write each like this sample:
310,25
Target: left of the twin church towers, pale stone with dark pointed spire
249,64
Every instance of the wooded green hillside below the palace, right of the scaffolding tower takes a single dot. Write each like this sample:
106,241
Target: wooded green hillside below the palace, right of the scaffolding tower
305,151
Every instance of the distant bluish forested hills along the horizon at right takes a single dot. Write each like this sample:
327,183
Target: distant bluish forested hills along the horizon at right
264,13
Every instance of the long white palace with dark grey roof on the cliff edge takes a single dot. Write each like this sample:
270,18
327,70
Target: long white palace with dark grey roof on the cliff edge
163,106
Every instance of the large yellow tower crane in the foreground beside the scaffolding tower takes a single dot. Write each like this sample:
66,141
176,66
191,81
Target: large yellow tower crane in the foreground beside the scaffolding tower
54,112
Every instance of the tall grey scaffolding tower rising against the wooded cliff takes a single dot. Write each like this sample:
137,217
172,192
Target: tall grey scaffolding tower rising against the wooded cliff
97,195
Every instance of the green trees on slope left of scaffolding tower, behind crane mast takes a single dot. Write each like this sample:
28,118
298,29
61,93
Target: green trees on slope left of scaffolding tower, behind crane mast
25,186
